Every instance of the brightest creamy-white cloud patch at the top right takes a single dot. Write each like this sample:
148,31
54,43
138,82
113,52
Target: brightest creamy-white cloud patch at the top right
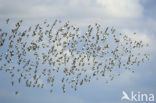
122,8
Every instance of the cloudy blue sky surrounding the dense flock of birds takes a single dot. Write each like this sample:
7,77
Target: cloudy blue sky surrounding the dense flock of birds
126,16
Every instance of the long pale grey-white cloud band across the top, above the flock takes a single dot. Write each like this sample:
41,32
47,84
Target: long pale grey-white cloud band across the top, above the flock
72,8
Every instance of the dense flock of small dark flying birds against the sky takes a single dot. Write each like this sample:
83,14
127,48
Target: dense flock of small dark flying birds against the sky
58,53
